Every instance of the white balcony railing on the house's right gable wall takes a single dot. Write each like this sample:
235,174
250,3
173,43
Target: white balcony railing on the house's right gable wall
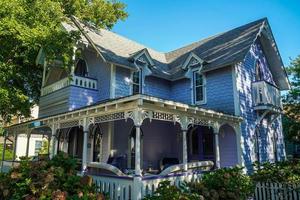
265,94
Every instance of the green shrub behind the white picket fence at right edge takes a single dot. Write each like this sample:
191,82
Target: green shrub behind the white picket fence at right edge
287,172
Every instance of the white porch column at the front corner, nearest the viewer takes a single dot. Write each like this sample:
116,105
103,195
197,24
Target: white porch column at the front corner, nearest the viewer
138,171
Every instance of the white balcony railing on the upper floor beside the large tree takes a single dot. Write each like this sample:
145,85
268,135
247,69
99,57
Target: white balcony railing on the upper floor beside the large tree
84,82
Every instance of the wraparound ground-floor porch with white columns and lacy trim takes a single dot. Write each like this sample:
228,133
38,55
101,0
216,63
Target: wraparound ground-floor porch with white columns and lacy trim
129,145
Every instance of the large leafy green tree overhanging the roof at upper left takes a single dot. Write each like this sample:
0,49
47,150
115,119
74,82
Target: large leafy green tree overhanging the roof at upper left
28,25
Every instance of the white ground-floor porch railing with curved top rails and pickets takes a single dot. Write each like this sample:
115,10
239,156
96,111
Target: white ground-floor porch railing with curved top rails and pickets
129,187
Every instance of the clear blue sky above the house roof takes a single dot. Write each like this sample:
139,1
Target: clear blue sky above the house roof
165,25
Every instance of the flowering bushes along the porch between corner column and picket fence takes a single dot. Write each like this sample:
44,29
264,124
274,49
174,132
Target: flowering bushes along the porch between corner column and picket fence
222,184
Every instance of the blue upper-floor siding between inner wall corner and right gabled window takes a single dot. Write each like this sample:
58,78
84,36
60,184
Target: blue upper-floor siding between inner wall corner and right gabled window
181,91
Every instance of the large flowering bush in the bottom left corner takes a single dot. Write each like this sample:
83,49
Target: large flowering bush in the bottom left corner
55,179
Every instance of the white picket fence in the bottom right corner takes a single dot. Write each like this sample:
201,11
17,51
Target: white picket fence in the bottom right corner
276,191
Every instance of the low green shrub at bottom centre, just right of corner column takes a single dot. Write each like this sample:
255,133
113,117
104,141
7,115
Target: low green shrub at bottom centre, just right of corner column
167,191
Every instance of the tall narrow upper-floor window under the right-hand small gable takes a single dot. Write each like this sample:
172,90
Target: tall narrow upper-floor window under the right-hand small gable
199,88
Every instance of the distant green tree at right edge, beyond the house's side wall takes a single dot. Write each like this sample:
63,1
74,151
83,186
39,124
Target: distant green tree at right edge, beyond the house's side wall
291,120
